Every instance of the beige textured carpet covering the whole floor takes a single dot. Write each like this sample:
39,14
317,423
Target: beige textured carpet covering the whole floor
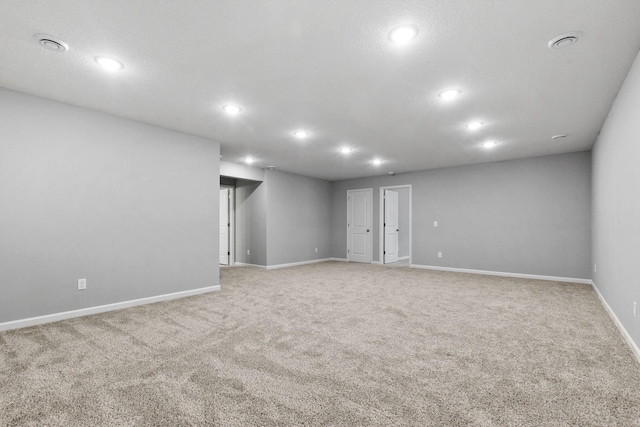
332,344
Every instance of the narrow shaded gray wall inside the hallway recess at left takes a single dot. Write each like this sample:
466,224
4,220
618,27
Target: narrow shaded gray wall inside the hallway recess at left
251,222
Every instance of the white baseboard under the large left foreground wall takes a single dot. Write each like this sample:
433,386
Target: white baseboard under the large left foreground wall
32,321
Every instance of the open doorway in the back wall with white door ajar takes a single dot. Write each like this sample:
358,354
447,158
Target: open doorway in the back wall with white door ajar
395,225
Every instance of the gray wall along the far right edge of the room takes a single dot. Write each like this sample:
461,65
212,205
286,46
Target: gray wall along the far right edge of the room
616,205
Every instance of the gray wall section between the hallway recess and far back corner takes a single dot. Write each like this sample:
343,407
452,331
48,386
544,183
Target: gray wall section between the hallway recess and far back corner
298,218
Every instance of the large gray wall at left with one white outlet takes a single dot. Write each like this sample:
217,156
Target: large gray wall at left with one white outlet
130,207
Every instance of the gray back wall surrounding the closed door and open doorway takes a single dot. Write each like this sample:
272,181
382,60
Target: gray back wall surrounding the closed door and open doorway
528,216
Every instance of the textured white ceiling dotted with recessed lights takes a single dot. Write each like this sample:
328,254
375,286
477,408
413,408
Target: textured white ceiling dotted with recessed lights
328,66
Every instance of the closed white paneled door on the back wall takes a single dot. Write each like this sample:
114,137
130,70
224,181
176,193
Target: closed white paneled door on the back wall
359,225
